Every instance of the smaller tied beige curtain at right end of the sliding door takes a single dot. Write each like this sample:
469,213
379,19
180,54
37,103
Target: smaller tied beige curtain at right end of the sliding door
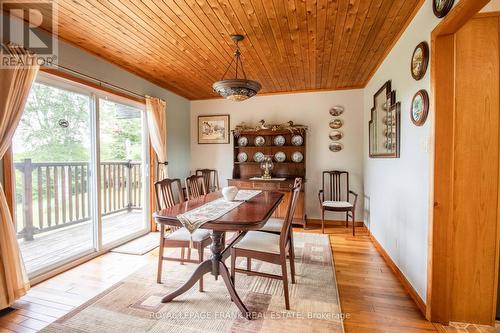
157,126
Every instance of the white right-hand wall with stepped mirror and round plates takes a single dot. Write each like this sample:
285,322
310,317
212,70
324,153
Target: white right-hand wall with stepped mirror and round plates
398,191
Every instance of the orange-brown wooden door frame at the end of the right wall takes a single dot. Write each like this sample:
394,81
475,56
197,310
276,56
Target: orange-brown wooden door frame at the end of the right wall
442,101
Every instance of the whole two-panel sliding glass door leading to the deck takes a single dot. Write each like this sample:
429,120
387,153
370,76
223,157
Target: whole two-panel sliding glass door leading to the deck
80,173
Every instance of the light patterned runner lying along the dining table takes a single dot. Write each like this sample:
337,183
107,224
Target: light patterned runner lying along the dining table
212,210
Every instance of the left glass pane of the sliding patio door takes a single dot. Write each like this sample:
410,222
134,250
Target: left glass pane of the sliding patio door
51,149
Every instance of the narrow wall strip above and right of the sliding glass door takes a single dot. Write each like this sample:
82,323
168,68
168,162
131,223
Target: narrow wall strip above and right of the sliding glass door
177,106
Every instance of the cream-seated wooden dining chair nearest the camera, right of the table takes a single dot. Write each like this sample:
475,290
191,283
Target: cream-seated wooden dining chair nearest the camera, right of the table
270,248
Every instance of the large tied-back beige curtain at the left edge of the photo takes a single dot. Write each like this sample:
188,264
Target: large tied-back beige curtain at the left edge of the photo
15,85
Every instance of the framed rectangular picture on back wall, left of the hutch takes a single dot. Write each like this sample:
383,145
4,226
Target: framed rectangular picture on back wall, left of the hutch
213,129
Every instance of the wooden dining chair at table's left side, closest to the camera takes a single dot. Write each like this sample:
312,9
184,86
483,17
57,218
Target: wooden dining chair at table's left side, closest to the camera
166,192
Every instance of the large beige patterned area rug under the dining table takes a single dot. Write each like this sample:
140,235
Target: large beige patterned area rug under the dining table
133,305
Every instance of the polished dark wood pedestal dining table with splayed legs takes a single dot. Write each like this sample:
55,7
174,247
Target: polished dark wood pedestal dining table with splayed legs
252,214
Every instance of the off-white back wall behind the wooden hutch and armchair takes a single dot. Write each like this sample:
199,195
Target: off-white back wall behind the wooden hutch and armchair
309,109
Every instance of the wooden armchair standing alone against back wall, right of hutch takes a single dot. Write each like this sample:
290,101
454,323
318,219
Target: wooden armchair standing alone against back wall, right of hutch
334,197
